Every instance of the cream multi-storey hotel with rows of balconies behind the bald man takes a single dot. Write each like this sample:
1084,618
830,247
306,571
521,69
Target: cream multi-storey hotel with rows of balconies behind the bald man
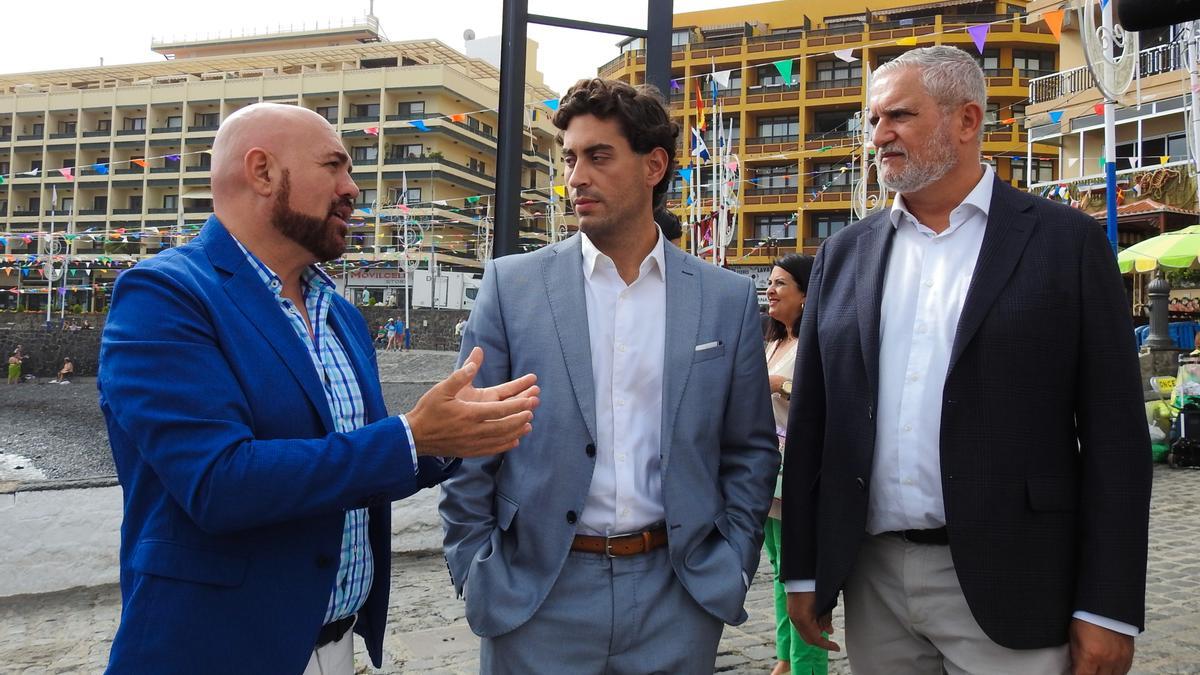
115,160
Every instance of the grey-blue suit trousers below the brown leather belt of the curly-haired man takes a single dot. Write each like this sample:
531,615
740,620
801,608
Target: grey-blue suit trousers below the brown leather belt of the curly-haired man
623,616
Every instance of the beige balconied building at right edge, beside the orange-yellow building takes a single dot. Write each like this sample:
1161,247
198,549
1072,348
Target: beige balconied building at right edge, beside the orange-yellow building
1156,180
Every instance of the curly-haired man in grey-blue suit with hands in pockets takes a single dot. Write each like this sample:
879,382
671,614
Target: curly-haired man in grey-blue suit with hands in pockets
625,530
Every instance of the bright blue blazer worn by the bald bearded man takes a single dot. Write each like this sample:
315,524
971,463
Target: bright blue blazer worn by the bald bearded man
236,485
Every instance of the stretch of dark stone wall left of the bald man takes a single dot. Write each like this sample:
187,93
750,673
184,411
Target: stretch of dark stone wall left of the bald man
46,348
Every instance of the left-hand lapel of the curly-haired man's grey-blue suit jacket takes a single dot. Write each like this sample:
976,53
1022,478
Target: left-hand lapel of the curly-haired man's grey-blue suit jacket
563,274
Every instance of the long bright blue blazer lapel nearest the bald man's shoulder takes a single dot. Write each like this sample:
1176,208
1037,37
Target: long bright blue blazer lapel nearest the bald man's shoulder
248,292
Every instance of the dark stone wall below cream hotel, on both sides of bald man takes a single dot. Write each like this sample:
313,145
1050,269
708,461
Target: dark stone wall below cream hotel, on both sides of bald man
46,348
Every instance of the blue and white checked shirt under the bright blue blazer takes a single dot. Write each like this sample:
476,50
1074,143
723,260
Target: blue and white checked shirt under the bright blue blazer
345,398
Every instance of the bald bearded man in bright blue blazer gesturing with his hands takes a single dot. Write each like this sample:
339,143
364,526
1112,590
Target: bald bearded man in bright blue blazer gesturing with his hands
249,429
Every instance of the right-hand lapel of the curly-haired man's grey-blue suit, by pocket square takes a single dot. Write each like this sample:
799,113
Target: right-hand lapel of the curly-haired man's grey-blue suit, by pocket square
685,306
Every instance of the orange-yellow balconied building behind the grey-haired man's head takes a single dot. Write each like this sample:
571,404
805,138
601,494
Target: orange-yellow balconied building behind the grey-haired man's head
801,142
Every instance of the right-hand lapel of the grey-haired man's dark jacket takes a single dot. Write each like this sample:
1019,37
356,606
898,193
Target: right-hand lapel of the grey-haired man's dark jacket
1010,226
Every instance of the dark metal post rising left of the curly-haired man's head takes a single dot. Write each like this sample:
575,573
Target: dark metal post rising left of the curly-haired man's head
511,135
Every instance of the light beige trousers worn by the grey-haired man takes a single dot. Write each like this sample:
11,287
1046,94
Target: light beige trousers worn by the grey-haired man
907,614
